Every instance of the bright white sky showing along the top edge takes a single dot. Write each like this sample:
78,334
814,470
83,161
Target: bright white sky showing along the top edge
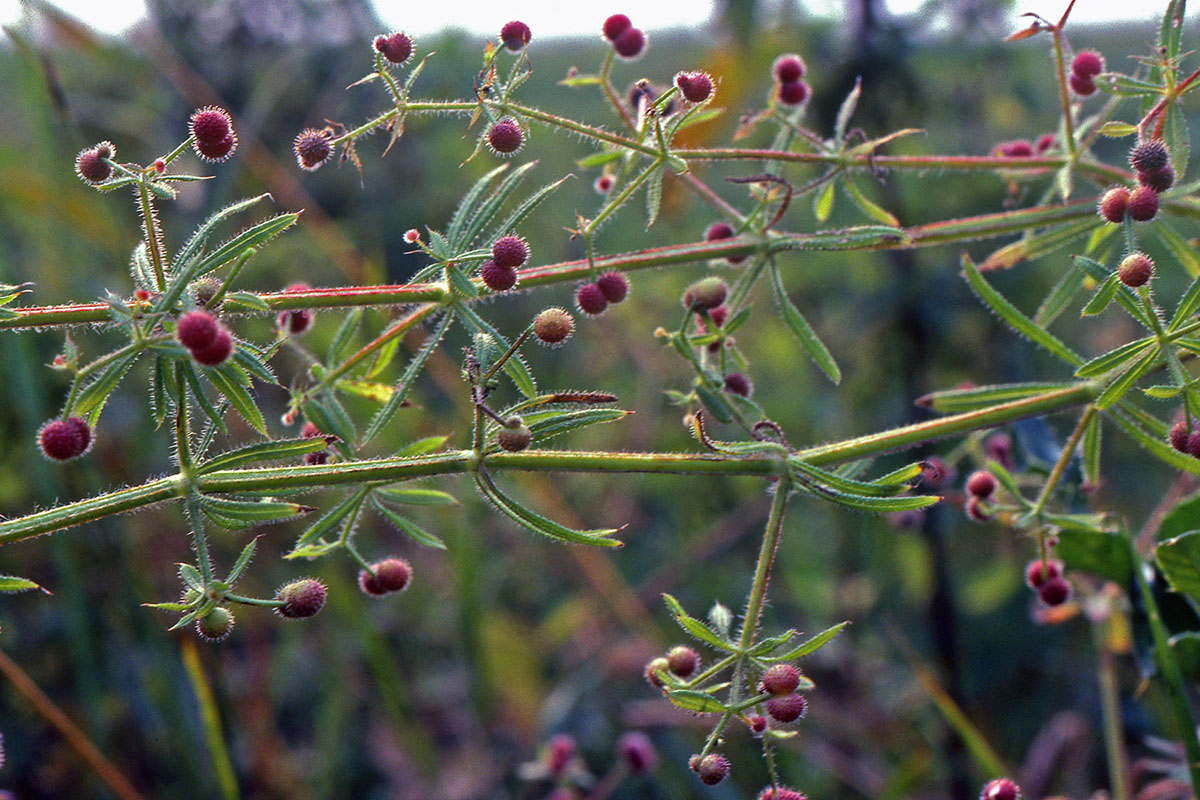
559,17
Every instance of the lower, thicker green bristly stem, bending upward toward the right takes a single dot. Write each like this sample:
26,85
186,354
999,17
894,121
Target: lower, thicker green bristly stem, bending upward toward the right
399,470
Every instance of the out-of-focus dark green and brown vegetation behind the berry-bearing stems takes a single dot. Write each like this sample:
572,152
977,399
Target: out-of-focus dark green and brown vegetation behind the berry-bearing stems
507,640
